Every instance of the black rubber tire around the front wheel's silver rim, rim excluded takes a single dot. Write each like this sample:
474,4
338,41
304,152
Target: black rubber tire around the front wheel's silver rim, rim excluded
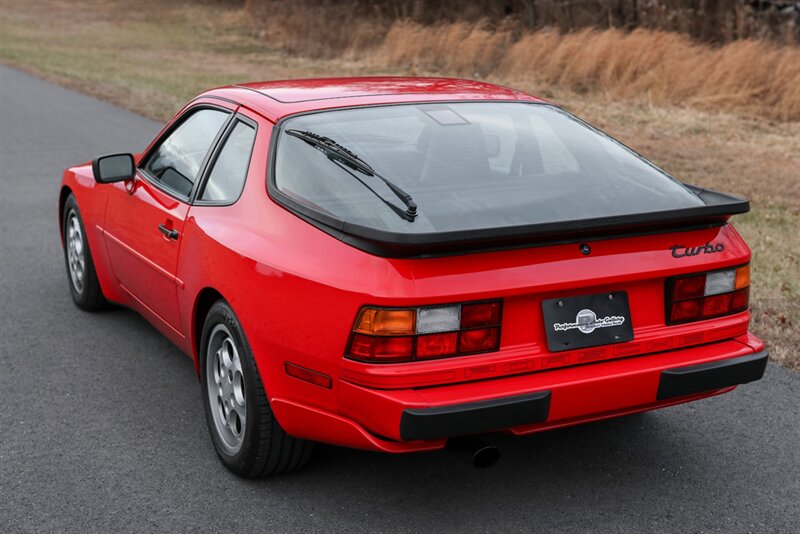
87,294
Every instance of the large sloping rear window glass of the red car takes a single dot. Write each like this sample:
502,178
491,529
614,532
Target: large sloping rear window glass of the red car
467,166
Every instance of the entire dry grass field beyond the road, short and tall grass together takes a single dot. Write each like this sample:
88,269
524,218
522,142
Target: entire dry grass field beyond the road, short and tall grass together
723,117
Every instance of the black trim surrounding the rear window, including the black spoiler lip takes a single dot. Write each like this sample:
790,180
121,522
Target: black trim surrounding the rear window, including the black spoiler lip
717,210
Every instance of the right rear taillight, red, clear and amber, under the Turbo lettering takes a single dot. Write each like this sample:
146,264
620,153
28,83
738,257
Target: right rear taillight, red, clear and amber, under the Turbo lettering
701,296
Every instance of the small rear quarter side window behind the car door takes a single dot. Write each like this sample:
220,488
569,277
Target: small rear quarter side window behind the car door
230,169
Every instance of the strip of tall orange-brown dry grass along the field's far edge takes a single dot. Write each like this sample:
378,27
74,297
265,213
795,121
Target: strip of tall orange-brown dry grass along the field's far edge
746,76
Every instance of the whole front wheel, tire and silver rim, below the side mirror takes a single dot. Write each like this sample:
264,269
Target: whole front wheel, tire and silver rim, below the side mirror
83,283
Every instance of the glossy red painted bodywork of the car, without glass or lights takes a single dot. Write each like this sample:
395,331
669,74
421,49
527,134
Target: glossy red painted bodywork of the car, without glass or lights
297,291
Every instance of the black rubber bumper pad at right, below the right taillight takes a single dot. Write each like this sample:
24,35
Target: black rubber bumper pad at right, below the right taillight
693,379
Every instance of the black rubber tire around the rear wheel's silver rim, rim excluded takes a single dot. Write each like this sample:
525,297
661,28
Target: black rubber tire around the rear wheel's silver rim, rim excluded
265,448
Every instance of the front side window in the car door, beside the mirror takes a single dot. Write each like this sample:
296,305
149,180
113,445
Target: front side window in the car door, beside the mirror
176,162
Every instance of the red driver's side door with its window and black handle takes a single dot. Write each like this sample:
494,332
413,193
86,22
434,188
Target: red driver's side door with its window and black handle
145,217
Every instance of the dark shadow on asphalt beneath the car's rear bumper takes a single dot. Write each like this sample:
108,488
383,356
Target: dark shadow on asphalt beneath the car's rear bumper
630,456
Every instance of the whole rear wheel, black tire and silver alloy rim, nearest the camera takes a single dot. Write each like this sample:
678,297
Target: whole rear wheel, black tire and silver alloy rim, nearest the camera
246,435
